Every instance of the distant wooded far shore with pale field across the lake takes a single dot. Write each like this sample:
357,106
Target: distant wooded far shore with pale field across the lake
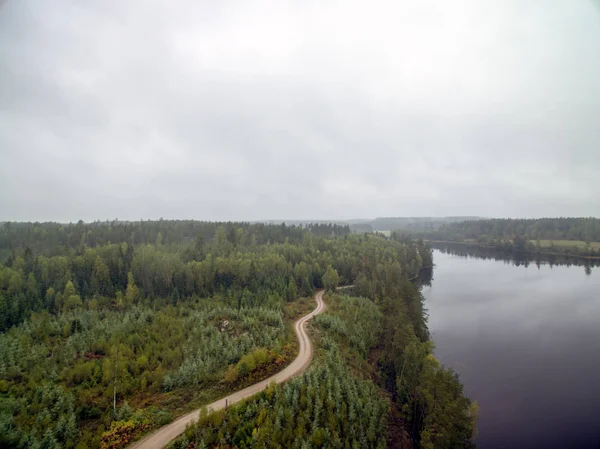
556,236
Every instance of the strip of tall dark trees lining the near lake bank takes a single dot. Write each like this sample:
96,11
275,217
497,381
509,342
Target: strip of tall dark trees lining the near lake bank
429,397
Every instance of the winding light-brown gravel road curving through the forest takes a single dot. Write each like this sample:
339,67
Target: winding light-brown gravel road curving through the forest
164,435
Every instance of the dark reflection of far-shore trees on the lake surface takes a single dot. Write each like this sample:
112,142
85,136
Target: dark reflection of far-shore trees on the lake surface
518,259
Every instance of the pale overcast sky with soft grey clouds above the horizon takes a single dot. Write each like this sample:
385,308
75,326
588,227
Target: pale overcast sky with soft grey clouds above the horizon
249,110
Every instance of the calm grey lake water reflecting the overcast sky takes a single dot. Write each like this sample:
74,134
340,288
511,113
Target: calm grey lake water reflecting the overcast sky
526,343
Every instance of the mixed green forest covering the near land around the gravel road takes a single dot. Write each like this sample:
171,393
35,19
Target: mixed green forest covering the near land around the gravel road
111,329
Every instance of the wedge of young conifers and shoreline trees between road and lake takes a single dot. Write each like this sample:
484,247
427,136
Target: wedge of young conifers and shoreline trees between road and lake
342,401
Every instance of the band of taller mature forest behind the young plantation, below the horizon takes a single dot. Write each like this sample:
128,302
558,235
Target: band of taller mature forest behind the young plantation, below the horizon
244,262
